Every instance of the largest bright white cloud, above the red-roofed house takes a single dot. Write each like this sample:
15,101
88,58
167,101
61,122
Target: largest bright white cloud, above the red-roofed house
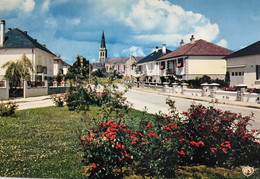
157,20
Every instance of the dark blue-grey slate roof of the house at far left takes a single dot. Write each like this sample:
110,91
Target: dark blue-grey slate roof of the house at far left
17,38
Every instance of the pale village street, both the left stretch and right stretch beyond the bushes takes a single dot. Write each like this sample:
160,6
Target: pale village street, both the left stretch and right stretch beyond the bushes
154,103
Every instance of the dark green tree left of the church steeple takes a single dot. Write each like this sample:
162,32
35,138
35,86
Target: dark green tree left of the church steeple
79,70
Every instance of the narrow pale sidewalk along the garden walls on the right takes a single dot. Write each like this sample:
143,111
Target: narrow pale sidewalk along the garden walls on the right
207,99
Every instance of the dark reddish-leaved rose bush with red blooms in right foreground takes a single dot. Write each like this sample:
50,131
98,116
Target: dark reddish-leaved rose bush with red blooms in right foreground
215,137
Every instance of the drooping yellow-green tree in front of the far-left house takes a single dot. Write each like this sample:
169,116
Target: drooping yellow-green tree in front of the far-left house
18,70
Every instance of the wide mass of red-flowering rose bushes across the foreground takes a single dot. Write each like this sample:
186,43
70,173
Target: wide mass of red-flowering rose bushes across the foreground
200,136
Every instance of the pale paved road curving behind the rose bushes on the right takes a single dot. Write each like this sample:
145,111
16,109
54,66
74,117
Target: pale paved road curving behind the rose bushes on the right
156,102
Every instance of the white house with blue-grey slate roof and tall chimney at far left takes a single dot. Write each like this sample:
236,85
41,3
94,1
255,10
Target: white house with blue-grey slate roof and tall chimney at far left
15,42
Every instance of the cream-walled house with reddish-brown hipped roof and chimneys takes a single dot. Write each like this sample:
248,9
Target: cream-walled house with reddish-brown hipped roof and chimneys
195,59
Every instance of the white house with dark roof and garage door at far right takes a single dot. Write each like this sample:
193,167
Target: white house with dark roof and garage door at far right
244,66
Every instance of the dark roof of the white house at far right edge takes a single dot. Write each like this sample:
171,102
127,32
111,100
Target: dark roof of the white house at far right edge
253,49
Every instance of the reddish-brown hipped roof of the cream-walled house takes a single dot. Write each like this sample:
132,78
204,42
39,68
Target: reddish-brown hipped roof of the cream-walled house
198,48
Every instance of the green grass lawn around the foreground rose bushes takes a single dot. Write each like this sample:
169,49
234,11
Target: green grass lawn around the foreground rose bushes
43,143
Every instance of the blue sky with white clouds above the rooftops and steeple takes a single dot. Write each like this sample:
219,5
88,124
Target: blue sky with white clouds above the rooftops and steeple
132,27
